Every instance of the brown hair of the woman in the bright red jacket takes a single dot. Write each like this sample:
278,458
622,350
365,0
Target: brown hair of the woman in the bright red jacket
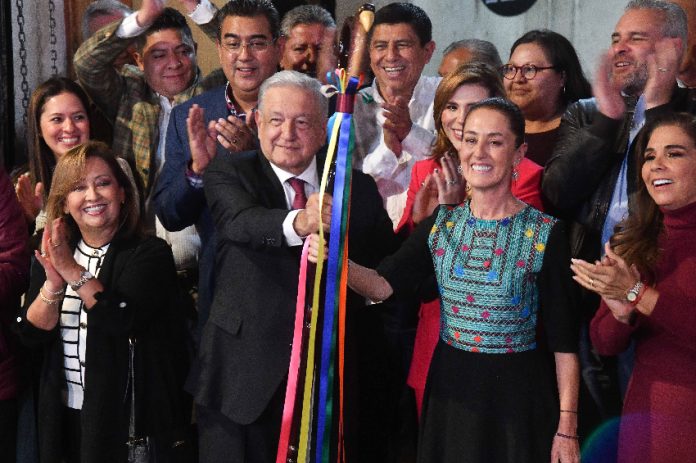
471,73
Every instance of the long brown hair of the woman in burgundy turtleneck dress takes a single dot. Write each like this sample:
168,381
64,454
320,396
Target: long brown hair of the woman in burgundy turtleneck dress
636,238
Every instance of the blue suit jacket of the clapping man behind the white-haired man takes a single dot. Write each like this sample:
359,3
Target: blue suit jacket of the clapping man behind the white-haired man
177,203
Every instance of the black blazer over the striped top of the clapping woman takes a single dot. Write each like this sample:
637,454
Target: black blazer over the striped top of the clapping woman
140,299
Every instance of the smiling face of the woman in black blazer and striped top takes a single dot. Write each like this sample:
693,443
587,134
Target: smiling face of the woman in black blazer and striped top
95,201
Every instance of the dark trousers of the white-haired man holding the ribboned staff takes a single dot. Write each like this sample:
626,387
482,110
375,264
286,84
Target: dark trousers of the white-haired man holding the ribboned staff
221,440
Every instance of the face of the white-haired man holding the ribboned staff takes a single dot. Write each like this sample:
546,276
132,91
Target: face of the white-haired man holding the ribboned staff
291,127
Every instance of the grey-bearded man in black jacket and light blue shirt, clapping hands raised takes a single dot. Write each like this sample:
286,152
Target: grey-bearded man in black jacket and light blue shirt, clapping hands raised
591,179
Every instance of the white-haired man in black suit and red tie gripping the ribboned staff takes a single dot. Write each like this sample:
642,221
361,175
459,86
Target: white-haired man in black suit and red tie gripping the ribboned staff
256,202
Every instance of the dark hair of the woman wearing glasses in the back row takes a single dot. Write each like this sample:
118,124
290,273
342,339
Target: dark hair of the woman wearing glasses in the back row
561,54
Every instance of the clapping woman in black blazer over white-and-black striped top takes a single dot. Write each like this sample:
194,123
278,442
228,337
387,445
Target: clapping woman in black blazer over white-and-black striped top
100,283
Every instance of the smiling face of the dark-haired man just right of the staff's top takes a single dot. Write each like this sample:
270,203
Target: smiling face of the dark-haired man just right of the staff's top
397,58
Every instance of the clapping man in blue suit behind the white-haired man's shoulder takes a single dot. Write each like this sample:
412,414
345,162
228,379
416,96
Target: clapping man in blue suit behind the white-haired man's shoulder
249,53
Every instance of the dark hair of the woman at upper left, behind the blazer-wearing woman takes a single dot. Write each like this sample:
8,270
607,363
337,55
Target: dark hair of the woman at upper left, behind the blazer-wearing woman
42,161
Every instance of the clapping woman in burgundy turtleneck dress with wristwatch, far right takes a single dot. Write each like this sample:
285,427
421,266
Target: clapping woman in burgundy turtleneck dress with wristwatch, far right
648,295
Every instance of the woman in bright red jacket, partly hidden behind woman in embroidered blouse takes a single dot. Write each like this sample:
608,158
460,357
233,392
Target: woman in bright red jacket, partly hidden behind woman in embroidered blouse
470,83
